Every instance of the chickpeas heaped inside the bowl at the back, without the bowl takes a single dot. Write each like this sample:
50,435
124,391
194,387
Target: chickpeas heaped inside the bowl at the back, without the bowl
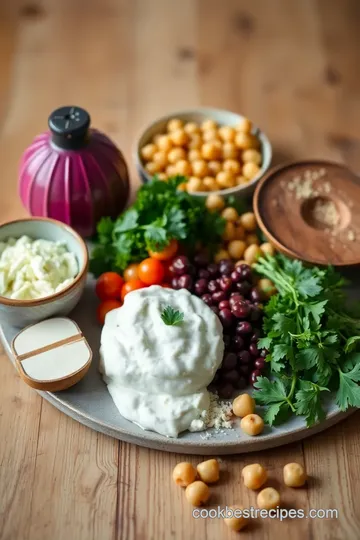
212,157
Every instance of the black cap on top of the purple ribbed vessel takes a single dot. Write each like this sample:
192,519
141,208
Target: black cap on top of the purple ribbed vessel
69,127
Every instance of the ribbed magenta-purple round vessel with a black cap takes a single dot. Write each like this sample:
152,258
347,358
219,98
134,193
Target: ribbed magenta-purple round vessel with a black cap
73,173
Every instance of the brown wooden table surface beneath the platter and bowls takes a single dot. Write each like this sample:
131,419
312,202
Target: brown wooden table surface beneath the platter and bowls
293,67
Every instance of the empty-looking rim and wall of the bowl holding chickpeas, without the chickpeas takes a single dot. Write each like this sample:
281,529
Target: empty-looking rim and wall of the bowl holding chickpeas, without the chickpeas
222,118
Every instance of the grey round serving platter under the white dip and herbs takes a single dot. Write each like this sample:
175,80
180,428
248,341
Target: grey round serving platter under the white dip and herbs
89,403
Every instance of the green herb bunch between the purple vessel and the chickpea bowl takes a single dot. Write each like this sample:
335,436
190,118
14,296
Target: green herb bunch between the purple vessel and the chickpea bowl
160,213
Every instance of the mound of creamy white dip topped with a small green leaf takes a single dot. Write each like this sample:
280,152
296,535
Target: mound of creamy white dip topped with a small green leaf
156,373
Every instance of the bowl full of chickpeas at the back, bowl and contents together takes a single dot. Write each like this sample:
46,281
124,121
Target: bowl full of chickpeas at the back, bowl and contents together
217,150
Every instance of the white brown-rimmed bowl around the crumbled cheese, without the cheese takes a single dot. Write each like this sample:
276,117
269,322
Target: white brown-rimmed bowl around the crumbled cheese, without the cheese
23,312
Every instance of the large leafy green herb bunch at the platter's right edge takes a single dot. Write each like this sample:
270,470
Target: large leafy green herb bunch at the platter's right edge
313,339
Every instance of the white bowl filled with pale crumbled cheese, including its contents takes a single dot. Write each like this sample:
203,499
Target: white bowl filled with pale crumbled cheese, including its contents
43,268
